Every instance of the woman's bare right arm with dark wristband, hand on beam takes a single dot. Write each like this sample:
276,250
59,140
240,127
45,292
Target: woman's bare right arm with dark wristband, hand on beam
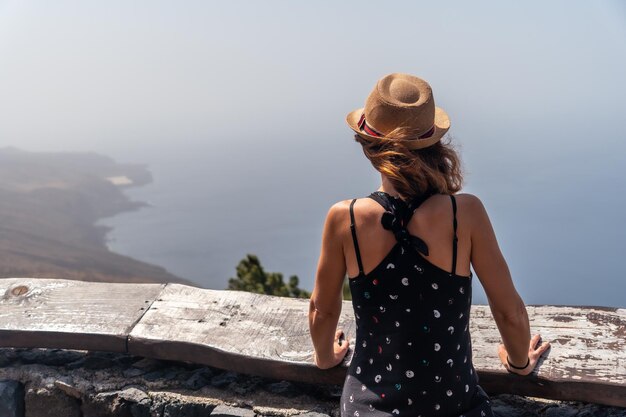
506,305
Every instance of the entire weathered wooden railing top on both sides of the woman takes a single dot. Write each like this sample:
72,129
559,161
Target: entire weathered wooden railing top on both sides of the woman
268,336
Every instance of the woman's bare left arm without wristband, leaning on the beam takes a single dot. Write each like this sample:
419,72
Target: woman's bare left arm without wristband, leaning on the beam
325,302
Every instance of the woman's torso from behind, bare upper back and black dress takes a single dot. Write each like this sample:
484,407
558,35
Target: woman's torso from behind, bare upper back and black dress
413,350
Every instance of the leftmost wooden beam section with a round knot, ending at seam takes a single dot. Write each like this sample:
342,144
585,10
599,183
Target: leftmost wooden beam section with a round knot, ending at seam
66,314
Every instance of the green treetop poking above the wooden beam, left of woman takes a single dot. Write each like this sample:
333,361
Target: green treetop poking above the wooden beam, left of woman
252,277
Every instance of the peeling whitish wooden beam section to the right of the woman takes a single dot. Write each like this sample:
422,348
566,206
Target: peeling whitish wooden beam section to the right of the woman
587,360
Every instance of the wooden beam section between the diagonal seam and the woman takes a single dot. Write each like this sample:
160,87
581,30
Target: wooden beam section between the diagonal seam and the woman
239,331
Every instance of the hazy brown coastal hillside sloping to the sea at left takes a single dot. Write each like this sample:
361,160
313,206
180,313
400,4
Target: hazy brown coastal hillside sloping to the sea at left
49,203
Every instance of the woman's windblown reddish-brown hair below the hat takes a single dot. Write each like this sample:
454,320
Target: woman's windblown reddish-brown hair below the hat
436,168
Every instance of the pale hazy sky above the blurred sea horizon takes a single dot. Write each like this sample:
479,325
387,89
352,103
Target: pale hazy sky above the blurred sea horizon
99,75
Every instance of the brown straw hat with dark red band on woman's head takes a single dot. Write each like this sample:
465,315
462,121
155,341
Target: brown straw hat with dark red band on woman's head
400,101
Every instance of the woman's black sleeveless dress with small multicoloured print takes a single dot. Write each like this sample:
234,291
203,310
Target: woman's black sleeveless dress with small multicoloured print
413,352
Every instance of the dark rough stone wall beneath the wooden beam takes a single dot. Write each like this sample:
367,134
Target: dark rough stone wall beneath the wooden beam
70,383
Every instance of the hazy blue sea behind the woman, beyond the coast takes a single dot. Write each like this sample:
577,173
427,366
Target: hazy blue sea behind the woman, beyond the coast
558,211
